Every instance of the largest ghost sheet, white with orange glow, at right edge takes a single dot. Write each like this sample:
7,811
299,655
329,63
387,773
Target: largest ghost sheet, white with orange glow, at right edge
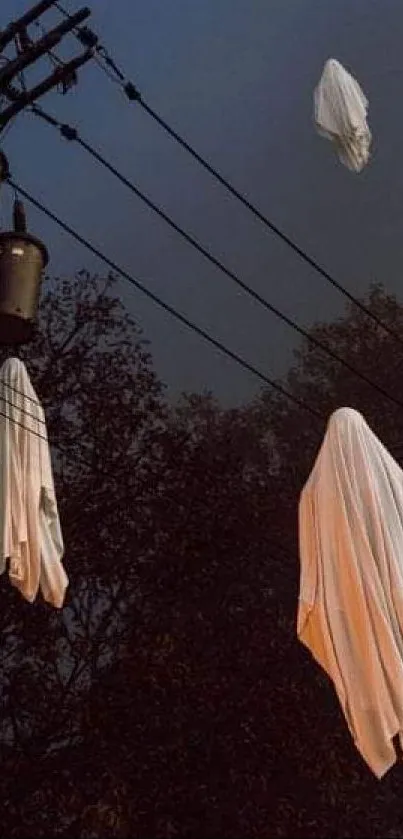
350,613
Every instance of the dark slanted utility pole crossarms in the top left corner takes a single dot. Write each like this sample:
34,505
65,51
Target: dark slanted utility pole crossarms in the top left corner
14,93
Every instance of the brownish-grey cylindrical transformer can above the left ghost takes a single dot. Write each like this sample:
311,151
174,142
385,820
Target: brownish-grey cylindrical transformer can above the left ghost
22,260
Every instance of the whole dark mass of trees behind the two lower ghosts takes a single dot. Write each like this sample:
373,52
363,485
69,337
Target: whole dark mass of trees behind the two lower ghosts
186,706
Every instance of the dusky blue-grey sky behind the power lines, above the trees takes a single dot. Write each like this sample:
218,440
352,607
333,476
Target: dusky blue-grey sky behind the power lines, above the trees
236,78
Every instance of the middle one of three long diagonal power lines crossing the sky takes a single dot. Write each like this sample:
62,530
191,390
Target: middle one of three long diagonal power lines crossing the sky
70,133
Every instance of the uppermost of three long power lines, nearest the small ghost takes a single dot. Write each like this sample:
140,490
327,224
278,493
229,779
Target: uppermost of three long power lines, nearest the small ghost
134,95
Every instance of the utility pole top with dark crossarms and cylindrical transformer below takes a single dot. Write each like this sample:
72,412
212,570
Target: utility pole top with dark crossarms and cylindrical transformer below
23,256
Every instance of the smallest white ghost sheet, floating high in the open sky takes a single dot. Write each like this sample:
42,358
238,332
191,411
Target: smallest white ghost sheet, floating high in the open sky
341,115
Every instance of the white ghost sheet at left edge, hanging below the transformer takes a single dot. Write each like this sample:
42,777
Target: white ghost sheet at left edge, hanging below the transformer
30,535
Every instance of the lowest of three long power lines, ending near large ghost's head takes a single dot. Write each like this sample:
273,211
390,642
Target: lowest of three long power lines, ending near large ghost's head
166,306
